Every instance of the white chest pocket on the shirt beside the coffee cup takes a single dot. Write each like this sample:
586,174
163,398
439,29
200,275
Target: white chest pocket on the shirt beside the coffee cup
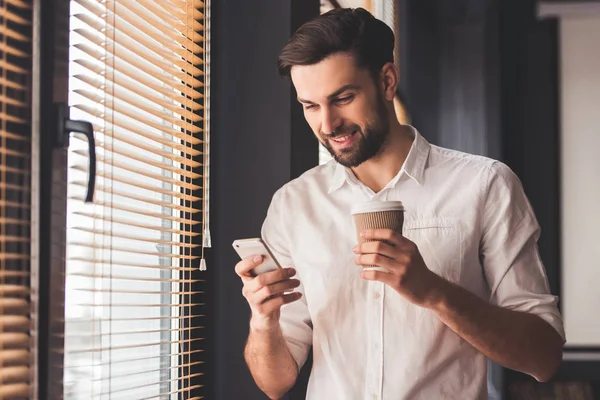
439,242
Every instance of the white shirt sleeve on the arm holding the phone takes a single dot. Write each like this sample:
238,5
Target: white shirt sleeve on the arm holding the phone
295,319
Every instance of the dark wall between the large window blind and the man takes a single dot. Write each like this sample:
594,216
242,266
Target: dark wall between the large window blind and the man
254,124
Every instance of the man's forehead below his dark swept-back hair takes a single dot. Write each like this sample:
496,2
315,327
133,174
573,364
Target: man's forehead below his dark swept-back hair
316,82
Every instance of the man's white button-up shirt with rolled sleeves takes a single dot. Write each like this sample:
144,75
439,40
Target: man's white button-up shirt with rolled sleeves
472,224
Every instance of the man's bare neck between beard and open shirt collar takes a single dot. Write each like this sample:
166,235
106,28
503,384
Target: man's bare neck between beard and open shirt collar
377,172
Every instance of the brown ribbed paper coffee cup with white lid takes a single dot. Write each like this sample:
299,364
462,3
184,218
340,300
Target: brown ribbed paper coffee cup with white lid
377,215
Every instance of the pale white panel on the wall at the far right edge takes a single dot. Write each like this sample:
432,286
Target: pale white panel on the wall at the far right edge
580,178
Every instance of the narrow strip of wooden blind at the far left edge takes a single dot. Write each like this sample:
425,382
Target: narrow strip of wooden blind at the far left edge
15,197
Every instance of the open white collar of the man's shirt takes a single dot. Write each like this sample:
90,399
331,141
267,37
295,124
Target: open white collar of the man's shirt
414,165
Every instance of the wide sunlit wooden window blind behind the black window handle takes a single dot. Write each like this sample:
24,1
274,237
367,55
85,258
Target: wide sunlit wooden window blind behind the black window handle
138,71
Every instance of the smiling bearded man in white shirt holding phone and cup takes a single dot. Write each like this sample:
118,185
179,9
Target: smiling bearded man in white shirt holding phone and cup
465,280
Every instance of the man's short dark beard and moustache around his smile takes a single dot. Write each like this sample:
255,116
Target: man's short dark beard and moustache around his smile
370,141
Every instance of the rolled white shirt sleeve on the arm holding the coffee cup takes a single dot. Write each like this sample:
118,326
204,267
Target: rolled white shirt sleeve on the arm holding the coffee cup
509,250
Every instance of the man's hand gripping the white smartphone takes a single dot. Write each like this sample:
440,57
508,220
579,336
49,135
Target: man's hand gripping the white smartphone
266,293
